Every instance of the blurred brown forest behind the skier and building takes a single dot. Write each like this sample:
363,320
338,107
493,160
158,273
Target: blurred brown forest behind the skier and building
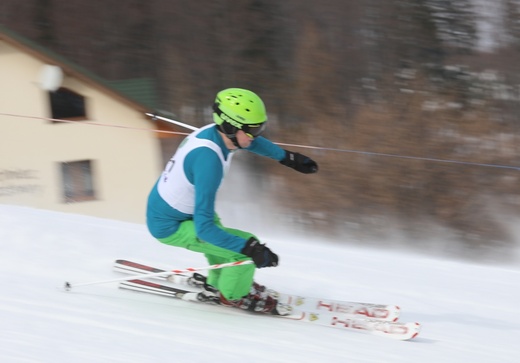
413,105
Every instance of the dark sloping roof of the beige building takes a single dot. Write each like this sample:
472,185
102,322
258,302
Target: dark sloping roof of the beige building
137,93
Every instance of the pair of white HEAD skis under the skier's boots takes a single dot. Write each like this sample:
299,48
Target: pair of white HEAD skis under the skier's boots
375,319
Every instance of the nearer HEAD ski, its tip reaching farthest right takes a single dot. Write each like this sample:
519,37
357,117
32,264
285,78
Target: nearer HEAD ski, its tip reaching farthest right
388,329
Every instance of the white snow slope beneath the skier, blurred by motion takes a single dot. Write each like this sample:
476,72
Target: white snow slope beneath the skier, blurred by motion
470,313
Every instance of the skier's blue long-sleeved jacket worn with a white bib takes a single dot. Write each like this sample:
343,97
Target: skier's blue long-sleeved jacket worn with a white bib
203,169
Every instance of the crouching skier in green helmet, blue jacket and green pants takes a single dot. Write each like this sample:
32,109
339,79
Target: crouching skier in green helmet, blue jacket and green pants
181,205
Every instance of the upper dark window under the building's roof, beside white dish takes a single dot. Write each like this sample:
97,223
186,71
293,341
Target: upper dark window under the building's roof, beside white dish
67,105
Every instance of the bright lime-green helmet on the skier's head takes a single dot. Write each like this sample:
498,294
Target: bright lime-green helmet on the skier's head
239,109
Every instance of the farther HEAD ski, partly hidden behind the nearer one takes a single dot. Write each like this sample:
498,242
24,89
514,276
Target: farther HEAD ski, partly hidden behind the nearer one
368,310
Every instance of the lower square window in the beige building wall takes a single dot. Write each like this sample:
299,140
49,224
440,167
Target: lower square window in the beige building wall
78,185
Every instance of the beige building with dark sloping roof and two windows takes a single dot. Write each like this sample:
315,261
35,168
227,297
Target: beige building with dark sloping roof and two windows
101,159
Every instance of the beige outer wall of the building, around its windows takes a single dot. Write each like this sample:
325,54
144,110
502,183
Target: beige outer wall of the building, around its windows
126,162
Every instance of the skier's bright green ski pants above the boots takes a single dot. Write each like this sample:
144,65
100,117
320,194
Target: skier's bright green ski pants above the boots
232,282
